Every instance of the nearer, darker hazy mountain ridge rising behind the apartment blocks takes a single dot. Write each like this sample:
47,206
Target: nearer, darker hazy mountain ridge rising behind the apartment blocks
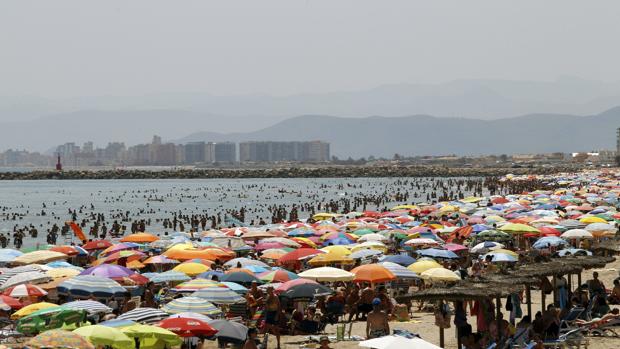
428,135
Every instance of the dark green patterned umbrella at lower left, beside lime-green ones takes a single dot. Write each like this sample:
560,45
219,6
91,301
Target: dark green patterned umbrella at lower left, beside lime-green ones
49,318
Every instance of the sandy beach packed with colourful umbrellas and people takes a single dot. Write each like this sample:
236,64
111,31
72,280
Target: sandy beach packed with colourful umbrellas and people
442,258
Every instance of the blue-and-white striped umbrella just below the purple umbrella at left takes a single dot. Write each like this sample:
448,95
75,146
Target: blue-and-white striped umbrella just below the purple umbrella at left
85,286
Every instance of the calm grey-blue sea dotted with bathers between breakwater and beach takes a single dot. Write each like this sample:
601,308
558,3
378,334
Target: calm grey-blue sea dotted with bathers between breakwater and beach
42,203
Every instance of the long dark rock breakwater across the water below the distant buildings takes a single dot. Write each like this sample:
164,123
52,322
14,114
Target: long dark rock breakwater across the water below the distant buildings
288,172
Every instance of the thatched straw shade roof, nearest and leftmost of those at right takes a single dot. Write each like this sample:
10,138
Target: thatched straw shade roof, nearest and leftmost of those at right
467,291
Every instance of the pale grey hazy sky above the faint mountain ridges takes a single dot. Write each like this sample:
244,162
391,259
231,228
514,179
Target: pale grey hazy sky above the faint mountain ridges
65,48
